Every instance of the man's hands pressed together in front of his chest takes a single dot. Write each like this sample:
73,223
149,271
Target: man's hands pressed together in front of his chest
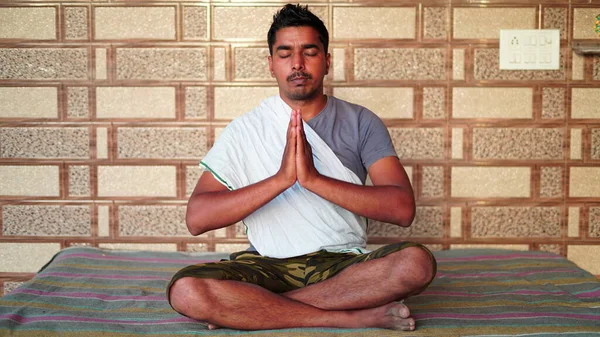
297,162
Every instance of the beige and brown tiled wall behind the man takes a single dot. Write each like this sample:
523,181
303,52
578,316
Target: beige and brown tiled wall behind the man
107,107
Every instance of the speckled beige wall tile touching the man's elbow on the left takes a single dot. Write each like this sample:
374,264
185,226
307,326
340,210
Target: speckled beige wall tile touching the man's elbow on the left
152,221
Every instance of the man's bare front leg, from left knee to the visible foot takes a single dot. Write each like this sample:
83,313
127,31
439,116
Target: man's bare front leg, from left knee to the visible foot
245,306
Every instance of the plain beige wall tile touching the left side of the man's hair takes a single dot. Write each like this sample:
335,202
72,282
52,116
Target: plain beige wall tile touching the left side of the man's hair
243,22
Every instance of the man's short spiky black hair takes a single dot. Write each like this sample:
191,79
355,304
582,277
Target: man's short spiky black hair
296,16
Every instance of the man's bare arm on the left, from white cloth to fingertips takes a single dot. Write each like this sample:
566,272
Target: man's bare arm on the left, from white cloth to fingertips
213,206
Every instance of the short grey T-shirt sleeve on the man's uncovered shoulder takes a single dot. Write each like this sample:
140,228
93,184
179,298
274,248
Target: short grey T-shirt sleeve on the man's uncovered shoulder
375,141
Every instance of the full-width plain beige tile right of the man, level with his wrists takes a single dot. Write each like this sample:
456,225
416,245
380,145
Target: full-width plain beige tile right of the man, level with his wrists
490,182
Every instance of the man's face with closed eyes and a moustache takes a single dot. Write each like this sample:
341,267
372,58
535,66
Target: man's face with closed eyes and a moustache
299,63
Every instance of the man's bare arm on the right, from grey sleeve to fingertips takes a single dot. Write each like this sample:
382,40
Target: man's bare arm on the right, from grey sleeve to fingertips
391,199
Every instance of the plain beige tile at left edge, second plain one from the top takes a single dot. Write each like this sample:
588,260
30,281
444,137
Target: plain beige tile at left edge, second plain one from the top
28,102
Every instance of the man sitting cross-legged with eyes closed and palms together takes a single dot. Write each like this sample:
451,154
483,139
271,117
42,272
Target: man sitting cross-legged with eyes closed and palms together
293,170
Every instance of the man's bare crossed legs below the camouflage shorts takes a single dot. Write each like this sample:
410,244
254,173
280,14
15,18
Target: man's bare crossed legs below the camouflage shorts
360,296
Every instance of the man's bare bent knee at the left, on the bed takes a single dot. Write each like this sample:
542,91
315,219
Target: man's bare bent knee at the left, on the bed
187,295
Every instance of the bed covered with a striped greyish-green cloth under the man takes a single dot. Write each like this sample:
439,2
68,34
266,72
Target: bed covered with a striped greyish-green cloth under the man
87,291
